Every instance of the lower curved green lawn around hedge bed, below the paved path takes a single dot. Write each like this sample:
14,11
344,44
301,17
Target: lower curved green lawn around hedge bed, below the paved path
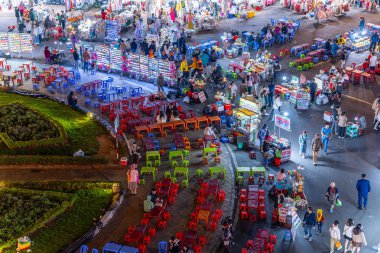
88,201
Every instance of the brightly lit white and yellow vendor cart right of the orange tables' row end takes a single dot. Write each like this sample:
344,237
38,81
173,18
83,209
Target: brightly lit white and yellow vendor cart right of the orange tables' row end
247,117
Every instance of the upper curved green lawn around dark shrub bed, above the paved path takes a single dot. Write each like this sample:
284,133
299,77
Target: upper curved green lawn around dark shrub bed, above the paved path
81,130
